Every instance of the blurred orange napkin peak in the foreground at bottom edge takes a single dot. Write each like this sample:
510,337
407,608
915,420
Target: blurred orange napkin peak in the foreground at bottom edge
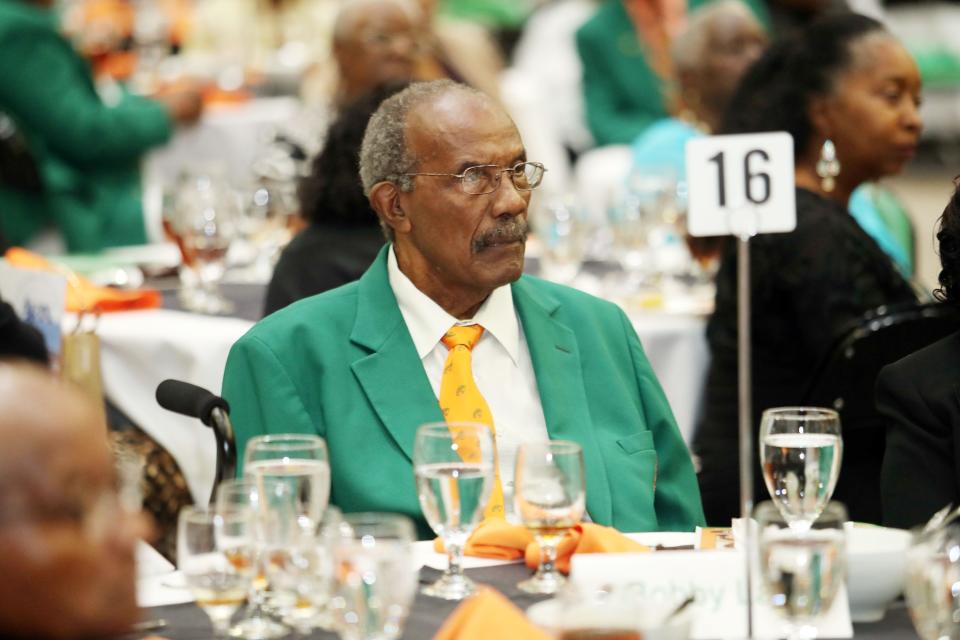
488,615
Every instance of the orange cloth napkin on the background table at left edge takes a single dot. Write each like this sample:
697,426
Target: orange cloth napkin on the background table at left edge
83,294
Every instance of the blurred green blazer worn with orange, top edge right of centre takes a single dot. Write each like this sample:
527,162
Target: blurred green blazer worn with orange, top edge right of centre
622,93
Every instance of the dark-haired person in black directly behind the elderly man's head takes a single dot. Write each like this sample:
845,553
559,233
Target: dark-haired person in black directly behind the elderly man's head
343,235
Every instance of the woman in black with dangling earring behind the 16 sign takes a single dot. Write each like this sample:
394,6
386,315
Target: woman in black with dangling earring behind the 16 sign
848,92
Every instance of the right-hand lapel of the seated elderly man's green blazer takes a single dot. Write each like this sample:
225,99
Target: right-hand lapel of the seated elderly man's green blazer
556,363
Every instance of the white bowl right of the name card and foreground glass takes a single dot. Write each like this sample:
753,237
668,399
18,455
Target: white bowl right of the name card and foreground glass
876,562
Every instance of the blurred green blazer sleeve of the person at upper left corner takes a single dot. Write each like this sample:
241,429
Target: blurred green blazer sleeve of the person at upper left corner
47,88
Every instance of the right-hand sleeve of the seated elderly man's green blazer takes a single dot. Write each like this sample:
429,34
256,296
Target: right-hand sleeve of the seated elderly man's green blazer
676,493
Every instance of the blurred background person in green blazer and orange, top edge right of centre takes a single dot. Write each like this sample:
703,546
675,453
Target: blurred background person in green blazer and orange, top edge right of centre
628,74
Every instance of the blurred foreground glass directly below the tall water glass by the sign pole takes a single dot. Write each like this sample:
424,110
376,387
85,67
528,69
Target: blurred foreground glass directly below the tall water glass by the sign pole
801,570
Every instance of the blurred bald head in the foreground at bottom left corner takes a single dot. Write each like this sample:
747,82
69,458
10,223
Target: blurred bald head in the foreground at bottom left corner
68,546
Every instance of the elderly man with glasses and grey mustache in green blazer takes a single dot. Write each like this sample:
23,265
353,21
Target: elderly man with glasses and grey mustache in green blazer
362,365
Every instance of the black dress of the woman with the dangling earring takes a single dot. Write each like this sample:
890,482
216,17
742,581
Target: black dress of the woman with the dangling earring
806,287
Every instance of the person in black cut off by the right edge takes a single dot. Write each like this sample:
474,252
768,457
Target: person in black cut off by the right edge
917,397
